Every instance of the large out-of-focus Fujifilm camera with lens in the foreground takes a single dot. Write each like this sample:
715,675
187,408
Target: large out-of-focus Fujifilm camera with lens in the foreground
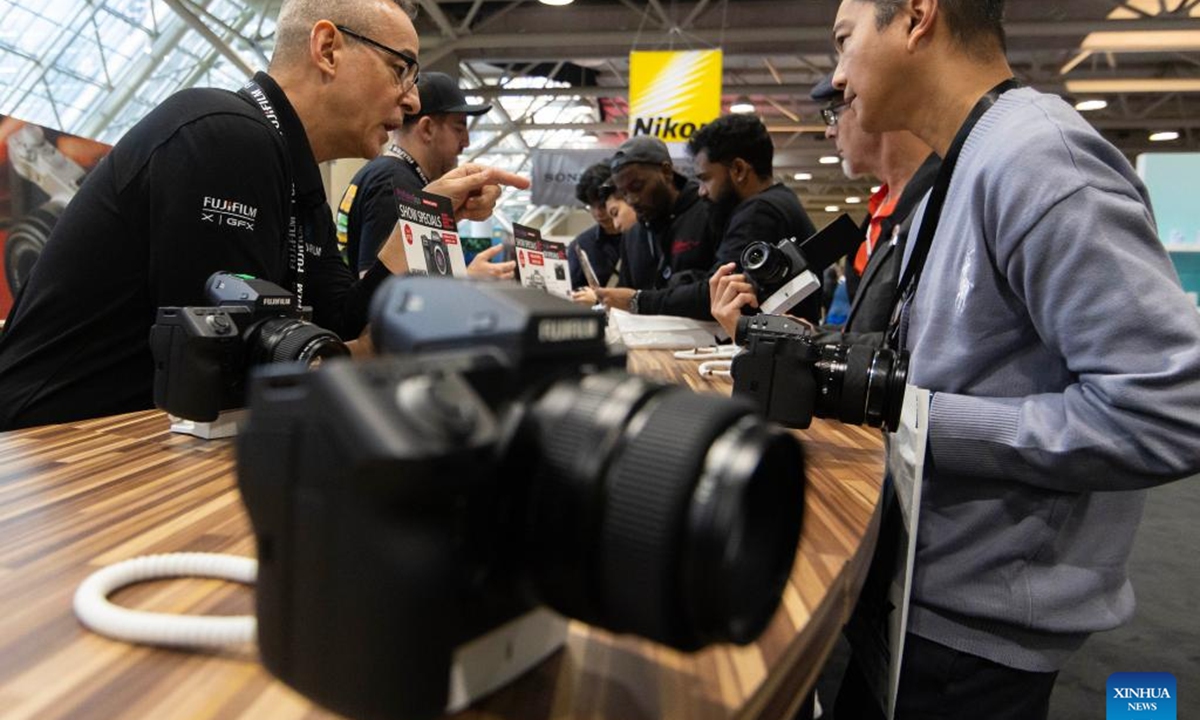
499,467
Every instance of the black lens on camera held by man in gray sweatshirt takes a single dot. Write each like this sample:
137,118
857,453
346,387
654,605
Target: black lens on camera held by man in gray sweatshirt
860,385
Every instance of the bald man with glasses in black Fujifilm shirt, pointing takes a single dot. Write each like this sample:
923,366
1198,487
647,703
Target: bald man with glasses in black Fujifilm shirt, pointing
214,181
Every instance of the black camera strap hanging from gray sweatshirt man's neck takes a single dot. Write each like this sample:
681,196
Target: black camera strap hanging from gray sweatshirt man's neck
907,290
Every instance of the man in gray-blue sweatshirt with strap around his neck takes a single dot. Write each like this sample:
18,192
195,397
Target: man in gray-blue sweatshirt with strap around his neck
1063,356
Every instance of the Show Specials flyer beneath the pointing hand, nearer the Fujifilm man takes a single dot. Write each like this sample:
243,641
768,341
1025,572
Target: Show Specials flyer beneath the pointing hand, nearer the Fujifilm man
431,236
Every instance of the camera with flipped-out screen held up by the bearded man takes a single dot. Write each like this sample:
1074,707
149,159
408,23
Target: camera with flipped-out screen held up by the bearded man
789,272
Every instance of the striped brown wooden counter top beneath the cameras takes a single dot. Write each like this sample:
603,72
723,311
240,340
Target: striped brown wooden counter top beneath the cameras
82,496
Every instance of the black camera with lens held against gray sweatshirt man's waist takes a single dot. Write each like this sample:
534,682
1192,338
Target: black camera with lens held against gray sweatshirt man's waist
793,379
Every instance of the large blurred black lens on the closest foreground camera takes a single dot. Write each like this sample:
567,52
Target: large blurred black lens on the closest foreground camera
659,512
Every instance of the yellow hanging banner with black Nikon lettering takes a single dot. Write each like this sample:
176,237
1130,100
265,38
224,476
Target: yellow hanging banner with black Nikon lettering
674,94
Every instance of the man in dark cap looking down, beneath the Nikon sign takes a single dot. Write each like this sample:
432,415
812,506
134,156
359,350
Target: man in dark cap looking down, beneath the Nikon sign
674,244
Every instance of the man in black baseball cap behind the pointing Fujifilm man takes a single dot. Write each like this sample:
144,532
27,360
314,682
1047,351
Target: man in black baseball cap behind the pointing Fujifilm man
422,151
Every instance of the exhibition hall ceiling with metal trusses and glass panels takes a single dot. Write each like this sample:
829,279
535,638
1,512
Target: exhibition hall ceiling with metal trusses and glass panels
560,75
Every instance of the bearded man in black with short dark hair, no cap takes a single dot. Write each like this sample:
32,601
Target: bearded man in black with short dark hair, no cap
734,158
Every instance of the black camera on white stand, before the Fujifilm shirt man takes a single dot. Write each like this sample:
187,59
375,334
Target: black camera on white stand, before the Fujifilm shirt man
202,355
